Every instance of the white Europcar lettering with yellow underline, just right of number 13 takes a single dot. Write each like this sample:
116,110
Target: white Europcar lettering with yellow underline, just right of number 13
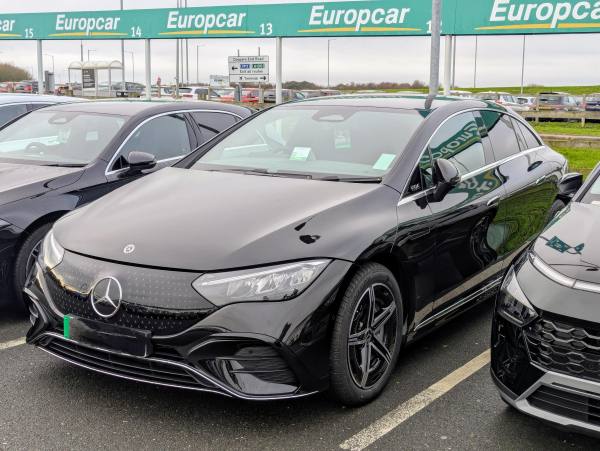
367,19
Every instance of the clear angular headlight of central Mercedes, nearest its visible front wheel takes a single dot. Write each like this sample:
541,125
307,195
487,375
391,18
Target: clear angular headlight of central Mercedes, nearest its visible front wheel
271,283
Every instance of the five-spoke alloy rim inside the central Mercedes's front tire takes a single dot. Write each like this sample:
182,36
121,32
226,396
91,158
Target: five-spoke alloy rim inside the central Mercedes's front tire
372,336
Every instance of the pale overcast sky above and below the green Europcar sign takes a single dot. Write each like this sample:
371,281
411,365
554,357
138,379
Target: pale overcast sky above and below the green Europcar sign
550,60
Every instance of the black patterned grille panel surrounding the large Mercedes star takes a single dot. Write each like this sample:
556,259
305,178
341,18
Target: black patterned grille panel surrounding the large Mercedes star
163,302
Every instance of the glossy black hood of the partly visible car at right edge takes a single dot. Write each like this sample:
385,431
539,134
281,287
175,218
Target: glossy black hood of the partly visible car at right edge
570,243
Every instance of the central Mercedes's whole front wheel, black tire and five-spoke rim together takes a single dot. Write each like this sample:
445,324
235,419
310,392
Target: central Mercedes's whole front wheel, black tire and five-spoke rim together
380,335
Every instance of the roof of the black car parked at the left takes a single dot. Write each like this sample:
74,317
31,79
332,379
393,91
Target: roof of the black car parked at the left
135,107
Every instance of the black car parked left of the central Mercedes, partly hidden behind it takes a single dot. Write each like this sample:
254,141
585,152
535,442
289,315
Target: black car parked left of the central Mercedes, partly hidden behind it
58,158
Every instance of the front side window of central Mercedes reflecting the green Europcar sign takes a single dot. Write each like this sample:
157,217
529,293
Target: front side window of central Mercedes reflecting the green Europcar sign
459,141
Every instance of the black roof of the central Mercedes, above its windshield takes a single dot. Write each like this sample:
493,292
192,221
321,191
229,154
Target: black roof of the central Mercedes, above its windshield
399,101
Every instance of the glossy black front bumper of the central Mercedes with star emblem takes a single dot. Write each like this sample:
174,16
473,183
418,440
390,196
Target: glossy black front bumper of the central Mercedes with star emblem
254,351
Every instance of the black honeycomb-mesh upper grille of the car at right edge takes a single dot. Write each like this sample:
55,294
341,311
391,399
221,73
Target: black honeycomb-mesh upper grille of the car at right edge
565,348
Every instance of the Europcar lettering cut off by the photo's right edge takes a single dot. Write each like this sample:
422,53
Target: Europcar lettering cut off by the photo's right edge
572,14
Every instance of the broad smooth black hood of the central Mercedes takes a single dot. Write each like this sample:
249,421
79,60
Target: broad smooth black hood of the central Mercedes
203,220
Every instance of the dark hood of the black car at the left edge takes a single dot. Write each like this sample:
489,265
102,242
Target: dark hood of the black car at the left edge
19,181
